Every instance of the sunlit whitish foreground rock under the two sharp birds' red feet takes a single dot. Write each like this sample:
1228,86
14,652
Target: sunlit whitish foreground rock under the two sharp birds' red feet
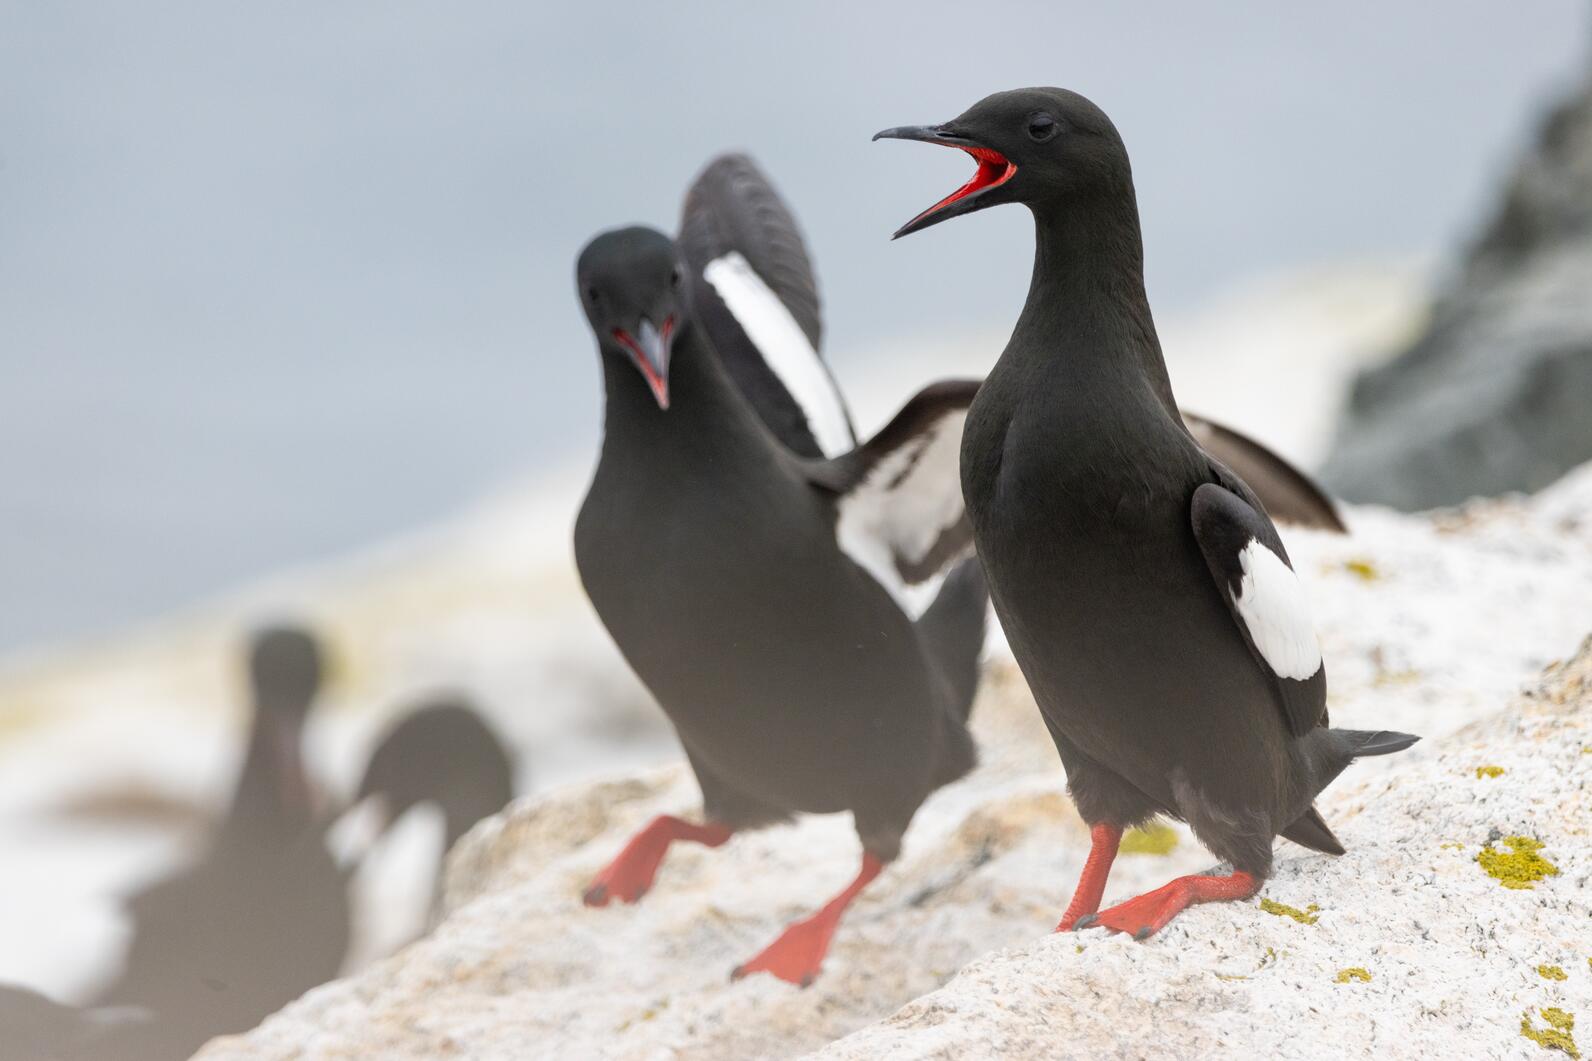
1427,625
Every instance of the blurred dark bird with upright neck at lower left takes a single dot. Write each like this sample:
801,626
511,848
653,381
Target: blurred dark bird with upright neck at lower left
263,915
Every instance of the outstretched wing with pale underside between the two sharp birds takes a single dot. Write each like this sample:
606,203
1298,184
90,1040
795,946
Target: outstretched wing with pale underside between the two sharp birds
900,511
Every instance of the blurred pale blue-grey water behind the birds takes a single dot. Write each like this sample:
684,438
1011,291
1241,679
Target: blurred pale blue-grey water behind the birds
278,281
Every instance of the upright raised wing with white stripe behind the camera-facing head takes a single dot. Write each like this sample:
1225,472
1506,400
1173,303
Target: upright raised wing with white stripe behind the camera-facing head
759,299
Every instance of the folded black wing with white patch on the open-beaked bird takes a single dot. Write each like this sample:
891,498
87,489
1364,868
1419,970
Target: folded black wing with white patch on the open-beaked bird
1266,600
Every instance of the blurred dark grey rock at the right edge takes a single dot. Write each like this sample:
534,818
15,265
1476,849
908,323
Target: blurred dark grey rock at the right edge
1497,394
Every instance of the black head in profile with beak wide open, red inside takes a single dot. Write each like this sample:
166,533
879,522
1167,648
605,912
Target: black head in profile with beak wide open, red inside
1032,146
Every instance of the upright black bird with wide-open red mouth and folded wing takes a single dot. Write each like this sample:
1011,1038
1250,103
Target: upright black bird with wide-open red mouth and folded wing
1141,582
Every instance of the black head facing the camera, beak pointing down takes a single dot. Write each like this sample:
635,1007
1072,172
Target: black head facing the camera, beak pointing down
634,288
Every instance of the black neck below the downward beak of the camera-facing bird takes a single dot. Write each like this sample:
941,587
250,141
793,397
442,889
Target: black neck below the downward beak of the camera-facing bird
706,412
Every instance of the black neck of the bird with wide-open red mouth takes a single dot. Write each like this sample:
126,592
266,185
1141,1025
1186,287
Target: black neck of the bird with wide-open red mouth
1088,319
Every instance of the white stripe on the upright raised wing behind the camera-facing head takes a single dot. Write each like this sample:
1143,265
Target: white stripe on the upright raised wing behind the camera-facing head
786,350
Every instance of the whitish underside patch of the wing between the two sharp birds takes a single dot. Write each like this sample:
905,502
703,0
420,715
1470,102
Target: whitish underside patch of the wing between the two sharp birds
902,507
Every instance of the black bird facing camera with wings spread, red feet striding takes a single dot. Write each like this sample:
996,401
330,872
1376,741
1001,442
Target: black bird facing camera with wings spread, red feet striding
744,554
